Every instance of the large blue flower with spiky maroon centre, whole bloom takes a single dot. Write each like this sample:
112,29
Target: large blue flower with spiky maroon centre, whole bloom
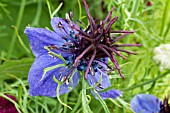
82,50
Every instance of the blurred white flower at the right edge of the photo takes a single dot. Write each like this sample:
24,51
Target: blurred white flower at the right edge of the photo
162,56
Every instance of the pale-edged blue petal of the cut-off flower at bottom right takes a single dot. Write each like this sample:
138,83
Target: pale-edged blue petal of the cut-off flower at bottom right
145,103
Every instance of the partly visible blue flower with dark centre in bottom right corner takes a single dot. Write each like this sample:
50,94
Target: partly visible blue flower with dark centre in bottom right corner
146,103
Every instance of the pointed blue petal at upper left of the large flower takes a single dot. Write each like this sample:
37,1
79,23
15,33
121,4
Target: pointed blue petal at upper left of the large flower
40,37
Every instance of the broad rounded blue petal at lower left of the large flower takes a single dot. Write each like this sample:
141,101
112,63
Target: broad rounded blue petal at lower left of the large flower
46,86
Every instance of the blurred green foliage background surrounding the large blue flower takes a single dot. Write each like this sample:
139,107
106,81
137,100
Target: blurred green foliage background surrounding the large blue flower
149,18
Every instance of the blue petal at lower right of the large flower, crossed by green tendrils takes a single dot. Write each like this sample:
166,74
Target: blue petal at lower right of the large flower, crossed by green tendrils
105,83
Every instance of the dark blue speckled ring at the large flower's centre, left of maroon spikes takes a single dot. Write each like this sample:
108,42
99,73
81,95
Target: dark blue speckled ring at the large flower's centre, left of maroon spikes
82,64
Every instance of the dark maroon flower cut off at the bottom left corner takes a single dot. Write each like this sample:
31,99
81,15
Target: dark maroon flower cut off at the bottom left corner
6,106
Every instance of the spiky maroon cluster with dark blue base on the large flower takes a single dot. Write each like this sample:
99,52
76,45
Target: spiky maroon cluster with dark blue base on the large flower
95,43
